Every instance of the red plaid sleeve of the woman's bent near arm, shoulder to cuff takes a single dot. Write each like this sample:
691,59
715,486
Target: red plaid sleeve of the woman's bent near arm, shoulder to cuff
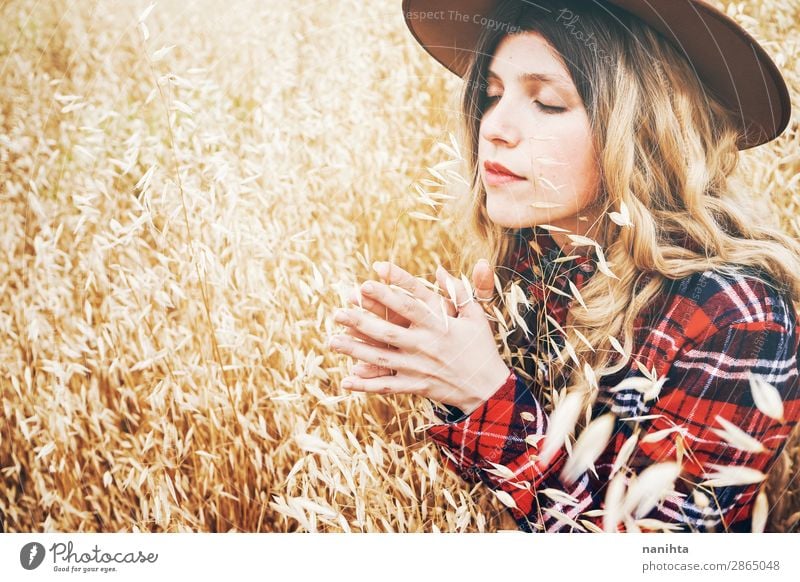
708,378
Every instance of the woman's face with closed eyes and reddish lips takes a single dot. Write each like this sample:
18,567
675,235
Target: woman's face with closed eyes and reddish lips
536,127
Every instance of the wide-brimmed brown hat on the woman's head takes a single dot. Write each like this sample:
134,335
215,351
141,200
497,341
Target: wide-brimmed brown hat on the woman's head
728,60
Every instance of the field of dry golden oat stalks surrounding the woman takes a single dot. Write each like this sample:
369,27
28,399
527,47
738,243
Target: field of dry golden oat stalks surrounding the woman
189,191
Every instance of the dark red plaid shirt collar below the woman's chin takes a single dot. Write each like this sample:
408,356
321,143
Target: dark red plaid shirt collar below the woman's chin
536,259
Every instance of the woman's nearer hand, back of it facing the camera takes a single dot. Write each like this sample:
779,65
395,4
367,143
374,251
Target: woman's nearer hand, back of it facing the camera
449,358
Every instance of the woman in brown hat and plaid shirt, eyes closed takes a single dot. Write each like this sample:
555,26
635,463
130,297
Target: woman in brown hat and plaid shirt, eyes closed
662,318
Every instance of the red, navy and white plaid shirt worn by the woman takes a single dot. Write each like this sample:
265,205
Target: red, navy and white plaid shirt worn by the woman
705,334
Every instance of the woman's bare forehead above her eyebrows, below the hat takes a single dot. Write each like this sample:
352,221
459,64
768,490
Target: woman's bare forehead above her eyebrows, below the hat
527,56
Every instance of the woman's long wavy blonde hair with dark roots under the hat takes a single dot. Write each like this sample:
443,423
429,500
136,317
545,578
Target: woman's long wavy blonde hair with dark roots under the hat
666,157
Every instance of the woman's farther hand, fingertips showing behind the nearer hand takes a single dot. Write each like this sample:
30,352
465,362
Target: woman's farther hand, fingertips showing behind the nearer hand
482,281
